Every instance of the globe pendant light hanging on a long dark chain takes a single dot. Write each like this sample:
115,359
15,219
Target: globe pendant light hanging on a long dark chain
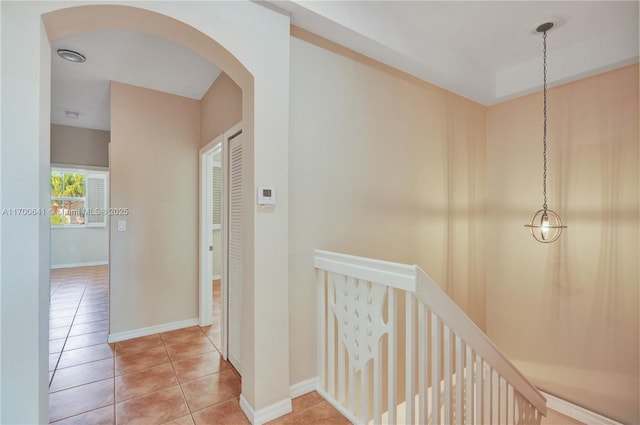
545,225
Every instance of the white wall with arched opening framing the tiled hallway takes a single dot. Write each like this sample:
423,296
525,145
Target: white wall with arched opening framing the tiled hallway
253,36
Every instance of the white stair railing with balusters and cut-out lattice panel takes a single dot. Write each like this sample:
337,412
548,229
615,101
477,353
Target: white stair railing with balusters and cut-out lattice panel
393,348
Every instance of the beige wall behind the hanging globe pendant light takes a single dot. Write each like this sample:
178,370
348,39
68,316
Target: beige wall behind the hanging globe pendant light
567,313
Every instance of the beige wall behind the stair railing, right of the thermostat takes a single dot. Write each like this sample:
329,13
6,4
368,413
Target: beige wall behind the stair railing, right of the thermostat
381,165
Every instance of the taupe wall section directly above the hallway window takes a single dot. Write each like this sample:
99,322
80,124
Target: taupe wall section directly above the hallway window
79,146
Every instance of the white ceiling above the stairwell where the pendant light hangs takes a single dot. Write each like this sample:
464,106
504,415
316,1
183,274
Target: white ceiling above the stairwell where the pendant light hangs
481,50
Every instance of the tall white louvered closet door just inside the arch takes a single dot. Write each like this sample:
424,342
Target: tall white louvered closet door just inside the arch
235,253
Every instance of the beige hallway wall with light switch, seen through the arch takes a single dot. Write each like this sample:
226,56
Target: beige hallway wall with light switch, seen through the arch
155,138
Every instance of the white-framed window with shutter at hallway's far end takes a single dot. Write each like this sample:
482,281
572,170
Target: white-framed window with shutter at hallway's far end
78,198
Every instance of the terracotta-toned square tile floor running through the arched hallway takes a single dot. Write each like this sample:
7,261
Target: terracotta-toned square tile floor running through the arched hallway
176,377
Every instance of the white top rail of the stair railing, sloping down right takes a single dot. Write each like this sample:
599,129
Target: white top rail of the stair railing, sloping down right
412,279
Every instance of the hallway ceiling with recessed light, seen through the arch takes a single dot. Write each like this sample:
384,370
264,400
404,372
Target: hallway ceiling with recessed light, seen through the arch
128,57
